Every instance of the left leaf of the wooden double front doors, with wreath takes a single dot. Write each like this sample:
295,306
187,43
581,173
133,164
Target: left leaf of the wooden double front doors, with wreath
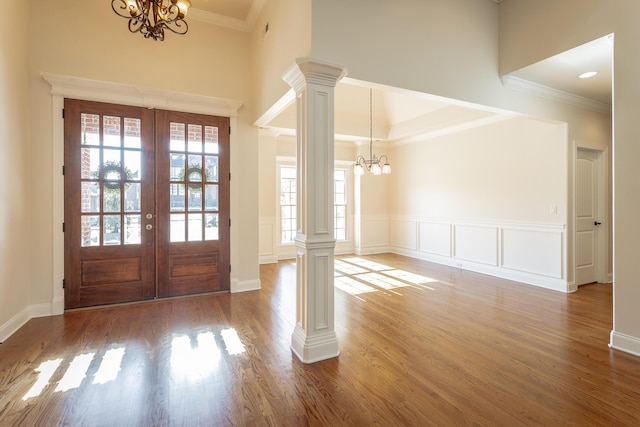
109,171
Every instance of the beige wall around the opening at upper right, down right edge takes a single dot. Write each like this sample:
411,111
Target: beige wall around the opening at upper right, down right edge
566,24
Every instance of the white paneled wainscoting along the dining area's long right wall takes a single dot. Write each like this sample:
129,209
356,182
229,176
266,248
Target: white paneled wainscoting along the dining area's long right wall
532,253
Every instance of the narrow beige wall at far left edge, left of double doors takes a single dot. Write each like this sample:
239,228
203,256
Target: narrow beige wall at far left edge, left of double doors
16,171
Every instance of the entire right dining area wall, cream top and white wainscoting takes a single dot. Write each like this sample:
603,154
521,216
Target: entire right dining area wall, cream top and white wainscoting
491,199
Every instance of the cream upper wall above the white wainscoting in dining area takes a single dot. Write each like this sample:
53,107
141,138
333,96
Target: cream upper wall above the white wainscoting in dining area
509,171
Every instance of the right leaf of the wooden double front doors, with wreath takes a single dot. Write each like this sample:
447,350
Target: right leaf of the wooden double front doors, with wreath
192,177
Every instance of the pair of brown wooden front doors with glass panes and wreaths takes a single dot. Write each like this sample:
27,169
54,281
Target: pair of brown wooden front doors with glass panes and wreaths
146,203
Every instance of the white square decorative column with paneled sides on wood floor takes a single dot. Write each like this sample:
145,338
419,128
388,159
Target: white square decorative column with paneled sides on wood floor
314,337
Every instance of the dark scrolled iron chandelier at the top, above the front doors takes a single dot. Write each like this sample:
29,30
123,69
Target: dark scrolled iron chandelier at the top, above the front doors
151,17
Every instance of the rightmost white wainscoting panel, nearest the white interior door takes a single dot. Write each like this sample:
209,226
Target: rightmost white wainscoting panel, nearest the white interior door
533,251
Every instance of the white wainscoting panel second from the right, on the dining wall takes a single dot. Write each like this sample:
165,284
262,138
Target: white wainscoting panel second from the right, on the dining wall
476,243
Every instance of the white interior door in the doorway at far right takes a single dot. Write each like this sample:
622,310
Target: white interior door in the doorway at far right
588,222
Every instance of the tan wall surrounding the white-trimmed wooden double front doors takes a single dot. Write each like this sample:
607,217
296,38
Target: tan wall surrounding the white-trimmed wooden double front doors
87,40
